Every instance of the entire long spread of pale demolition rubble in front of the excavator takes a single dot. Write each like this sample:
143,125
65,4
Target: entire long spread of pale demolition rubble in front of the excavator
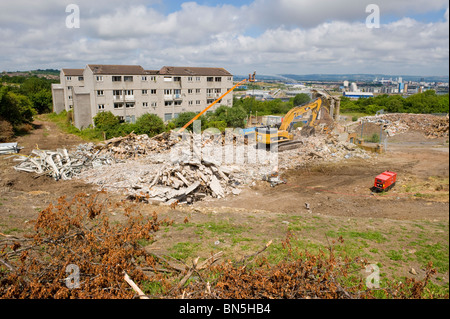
169,169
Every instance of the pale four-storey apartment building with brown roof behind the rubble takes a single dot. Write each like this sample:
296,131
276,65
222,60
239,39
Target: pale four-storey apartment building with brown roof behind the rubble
129,91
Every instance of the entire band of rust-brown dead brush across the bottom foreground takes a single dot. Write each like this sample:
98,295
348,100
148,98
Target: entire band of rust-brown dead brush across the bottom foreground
113,264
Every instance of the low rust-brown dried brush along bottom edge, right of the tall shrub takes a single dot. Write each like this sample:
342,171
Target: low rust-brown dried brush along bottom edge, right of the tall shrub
302,275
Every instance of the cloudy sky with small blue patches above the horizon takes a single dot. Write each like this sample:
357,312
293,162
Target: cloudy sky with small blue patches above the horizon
267,36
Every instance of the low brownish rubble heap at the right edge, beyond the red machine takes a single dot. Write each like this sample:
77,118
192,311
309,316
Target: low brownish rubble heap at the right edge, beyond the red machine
431,126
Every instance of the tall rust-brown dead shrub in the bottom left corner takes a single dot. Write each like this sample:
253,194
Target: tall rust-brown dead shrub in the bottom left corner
78,232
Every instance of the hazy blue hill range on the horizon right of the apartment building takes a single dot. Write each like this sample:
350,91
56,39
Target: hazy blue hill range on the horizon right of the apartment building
343,77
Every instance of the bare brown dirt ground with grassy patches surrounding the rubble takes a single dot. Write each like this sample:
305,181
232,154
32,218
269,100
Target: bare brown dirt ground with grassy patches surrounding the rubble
338,196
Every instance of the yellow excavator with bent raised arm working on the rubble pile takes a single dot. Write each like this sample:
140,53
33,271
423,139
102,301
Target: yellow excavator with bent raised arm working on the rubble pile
282,138
